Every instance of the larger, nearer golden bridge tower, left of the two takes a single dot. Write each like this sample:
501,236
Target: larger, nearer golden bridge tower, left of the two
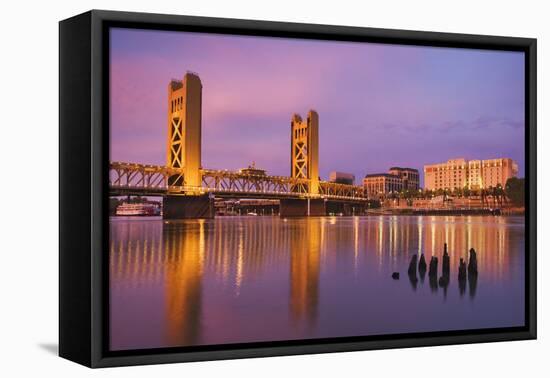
184,130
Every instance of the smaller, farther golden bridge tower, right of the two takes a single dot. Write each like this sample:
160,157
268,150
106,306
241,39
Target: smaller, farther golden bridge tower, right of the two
305,151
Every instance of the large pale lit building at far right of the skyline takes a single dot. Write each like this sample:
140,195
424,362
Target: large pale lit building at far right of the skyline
471,174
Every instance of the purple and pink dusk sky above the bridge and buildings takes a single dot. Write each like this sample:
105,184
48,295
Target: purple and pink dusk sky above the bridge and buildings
379,105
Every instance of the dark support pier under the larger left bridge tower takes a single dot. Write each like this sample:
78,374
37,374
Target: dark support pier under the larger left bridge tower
188,207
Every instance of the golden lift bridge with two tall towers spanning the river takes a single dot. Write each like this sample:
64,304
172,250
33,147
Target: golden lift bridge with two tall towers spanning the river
188,189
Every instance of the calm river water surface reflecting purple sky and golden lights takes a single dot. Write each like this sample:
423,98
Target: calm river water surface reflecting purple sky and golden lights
246,279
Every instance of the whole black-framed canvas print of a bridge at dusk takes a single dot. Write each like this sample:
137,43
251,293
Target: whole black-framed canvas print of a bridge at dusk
234,188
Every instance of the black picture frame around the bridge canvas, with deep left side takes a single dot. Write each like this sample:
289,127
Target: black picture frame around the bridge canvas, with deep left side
83,181
